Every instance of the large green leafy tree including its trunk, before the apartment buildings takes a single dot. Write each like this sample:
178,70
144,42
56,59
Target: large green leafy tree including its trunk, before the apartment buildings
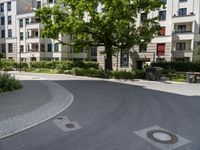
108,23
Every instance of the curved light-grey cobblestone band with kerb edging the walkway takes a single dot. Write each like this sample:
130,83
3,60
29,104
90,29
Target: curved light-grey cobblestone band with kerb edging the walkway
60,100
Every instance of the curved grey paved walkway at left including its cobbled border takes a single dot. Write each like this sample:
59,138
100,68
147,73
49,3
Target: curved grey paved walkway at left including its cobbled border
37,102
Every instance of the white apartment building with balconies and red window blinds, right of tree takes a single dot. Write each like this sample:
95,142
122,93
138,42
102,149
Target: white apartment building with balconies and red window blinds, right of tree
179,35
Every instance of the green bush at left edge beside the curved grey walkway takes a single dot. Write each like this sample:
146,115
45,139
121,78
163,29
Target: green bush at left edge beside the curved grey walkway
8,83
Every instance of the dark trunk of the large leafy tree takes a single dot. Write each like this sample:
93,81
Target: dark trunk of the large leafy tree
108,58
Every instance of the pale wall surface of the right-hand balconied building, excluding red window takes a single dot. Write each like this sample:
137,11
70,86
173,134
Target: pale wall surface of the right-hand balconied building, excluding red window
191,37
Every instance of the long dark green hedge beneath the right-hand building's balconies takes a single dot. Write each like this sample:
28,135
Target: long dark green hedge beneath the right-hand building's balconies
179,66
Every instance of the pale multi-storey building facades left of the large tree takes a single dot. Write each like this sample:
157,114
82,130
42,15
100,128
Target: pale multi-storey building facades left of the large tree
20,34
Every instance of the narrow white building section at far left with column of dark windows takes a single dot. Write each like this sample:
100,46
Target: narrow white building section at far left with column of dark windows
8,39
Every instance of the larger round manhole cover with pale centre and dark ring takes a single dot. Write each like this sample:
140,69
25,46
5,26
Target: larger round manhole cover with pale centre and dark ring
161,136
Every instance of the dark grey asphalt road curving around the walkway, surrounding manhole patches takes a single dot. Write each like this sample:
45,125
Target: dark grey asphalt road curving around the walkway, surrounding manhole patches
109,114
